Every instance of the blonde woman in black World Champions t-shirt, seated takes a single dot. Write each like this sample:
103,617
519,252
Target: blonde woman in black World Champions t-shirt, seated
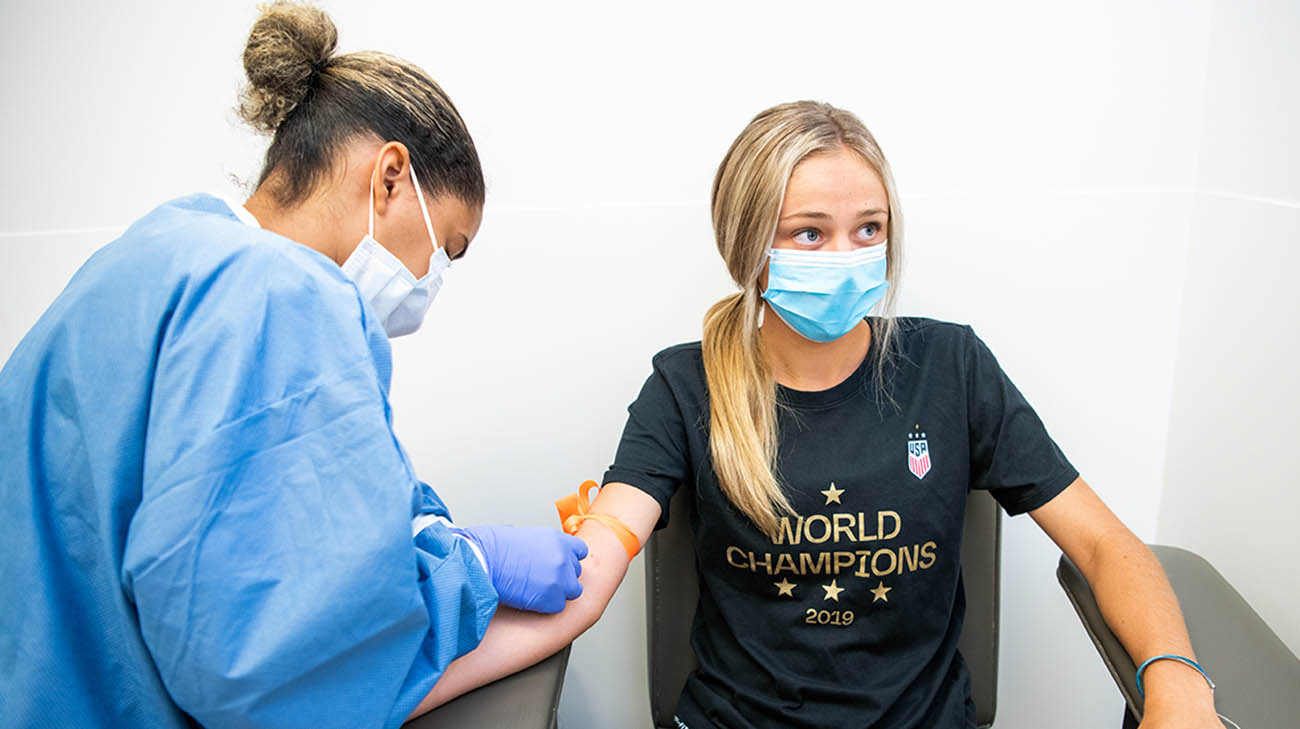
830,455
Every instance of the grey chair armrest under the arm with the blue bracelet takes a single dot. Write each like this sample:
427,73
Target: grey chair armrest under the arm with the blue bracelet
1258,676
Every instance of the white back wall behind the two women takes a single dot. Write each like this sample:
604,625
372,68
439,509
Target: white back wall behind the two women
1046,159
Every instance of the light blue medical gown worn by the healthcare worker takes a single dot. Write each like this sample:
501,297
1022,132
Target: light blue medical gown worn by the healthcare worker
205,510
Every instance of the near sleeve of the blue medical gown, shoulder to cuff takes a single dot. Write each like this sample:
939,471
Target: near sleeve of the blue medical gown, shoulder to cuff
271,561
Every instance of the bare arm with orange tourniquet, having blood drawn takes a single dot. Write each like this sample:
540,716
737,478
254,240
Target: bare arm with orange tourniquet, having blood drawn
517,640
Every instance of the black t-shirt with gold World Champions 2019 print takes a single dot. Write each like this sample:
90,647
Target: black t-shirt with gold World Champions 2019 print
852,617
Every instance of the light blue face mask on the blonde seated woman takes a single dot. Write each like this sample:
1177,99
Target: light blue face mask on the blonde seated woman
825,294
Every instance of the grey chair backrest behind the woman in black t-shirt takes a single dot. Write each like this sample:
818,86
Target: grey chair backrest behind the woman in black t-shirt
673,591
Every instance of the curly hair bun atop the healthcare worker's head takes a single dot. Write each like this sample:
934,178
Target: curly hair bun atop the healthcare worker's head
289,45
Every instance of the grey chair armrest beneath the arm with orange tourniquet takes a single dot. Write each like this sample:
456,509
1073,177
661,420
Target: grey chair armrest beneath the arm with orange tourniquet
528,700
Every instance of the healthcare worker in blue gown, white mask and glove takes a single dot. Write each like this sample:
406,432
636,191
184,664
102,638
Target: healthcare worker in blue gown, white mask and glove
206,514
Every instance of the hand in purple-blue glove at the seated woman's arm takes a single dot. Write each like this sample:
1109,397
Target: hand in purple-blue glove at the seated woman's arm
532,569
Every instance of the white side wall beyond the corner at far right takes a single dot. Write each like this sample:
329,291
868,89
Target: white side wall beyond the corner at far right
1232,492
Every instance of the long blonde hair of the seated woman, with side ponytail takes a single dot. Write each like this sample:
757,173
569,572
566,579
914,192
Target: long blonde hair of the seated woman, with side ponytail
747,202
